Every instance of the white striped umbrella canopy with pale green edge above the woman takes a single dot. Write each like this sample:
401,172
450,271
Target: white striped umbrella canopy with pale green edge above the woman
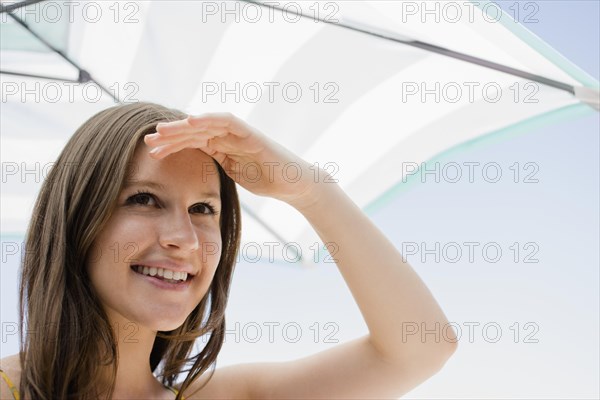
376,89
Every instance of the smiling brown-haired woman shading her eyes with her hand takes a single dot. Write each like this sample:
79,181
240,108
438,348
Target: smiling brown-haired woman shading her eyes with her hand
130,253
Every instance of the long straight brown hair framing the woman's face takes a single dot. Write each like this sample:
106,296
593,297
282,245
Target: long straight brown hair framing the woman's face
65,334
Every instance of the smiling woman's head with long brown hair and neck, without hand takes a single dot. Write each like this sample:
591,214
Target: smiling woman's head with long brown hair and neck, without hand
97,315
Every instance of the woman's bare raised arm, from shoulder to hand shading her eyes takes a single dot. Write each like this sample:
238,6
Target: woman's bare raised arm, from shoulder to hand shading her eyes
409,339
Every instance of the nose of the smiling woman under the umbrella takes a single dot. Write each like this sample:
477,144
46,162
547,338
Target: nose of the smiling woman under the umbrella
178,231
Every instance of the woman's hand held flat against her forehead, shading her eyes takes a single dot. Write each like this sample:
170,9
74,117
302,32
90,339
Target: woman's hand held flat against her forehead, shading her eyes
249,157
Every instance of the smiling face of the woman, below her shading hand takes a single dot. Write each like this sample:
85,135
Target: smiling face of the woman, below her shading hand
166,221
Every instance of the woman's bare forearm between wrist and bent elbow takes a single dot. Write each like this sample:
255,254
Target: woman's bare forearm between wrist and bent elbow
404,320
